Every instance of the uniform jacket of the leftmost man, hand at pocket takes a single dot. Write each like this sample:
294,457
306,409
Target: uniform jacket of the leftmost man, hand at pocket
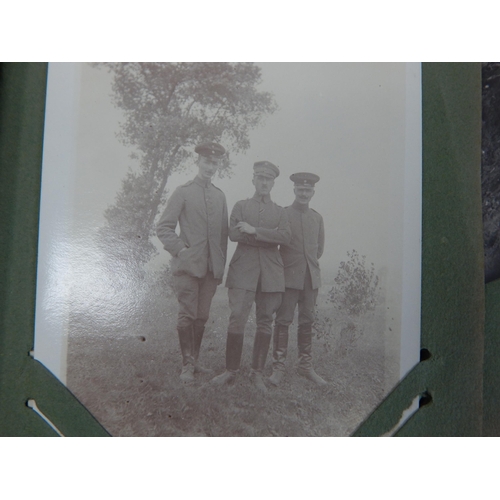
200,210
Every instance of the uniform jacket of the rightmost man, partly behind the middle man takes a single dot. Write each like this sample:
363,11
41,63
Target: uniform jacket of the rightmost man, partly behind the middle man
305,247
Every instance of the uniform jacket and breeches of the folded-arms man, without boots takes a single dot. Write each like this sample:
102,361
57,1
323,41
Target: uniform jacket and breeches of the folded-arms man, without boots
256,269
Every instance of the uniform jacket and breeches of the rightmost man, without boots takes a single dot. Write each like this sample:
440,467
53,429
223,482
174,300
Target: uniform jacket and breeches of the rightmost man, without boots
302,273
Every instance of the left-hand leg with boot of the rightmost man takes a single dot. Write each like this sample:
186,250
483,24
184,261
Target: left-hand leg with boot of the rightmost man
284,318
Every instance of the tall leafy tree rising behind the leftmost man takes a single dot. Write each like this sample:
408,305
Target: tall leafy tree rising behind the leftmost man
169,108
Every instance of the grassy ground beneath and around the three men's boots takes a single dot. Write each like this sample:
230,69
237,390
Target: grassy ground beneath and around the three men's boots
129,379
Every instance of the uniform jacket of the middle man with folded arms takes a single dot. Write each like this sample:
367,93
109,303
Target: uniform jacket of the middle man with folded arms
257,256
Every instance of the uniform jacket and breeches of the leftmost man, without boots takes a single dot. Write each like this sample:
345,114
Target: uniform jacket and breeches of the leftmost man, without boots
200,210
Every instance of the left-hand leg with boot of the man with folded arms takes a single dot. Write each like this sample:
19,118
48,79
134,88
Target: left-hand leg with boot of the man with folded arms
240,304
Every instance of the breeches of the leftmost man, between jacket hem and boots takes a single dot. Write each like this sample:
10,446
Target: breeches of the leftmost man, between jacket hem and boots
195,297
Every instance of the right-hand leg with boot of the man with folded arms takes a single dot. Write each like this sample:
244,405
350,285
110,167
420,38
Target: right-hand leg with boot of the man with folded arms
266,305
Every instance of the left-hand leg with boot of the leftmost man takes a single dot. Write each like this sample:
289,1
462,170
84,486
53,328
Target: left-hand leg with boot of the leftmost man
186,290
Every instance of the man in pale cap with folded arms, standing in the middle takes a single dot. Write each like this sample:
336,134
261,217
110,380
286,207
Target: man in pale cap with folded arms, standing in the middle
255,272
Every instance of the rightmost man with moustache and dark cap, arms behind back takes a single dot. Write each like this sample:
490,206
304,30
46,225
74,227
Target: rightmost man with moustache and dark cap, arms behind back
302,279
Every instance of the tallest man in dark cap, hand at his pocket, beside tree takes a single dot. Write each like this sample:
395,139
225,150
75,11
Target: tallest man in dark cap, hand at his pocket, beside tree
198,253
